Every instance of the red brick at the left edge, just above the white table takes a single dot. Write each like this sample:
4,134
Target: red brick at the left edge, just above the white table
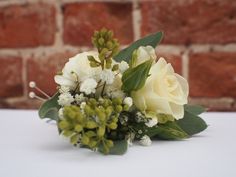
11,76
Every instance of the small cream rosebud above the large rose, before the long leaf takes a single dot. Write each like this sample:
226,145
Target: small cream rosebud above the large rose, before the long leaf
144,54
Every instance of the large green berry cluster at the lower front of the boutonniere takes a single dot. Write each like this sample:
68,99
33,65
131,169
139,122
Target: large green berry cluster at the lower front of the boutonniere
89,124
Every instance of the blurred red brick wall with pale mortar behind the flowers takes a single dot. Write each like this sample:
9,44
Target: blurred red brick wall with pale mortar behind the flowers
38,36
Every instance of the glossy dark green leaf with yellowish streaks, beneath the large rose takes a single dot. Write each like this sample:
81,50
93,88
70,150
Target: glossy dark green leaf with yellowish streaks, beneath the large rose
167,131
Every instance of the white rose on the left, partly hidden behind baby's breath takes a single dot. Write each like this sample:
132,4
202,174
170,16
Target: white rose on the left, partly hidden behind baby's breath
77,69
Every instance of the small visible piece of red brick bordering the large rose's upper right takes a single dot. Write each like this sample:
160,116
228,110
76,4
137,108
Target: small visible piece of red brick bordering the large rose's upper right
175,61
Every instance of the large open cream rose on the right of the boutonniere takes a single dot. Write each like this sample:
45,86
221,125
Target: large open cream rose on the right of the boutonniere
164,91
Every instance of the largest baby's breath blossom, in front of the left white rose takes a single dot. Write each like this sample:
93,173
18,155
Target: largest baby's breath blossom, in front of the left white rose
88,86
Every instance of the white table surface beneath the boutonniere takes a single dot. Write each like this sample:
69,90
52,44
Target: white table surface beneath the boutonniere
29,147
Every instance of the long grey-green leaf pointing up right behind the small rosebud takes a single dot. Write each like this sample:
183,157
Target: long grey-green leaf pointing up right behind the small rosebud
126,54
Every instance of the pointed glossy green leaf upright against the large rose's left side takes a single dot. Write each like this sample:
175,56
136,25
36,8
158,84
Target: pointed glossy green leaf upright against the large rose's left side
134,78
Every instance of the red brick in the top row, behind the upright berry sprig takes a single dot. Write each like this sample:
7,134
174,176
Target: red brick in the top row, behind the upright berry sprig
81,19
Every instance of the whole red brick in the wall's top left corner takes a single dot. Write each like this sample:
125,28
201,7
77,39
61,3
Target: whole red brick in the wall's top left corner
27,25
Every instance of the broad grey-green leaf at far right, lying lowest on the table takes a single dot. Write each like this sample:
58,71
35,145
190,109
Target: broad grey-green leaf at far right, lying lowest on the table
192,124
